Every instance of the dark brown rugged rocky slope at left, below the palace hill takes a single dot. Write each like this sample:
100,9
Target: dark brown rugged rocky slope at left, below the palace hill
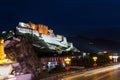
20,49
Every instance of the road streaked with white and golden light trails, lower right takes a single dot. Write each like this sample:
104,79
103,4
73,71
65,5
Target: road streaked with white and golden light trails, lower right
106,73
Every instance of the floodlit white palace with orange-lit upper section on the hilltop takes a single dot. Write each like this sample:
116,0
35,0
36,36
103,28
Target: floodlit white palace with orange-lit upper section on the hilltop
42,32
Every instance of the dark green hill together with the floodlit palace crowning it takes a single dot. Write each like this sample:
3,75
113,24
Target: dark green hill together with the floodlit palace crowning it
42,38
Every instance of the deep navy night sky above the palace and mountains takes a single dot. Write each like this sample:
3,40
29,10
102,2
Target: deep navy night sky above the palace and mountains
93,18
